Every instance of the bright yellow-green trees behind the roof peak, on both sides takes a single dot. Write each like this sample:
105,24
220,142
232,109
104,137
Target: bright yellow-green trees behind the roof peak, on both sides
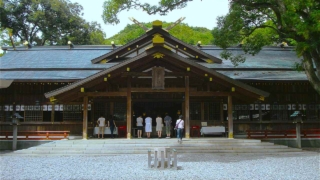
188,34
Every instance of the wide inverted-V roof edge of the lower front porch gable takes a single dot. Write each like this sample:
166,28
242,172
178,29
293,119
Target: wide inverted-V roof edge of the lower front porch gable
150,53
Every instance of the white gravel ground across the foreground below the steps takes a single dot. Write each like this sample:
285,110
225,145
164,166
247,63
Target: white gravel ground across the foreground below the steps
227,166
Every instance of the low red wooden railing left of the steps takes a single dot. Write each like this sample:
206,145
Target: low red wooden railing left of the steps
35,135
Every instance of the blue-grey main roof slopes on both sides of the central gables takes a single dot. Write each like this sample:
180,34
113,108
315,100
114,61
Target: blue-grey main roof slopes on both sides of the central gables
59,63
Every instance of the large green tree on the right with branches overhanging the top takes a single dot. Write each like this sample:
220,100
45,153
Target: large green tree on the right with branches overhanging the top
253,24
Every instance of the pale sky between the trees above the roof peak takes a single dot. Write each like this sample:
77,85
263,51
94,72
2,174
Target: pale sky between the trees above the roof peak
198,13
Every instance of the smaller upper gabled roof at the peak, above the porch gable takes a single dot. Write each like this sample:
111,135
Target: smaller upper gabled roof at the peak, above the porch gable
145,40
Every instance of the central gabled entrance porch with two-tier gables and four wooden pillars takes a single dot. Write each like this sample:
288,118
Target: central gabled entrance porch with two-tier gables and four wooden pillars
156,68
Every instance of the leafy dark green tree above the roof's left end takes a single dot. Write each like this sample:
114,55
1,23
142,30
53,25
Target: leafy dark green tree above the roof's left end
43,22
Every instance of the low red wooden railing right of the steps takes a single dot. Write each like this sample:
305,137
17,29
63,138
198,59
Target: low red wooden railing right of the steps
269,134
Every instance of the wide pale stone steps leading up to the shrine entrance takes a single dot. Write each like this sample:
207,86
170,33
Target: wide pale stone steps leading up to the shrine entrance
141,146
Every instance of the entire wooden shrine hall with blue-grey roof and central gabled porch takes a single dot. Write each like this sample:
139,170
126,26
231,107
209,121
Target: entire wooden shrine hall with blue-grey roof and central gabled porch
67,88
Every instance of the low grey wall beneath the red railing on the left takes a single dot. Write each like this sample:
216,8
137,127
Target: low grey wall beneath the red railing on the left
21,144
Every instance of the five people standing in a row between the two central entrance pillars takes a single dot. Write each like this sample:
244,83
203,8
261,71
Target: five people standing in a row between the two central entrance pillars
159,125
